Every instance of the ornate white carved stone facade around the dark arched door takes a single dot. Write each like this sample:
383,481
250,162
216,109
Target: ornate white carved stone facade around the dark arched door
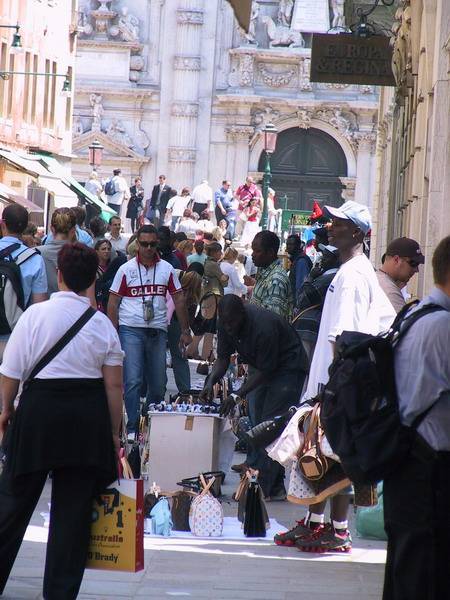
192,95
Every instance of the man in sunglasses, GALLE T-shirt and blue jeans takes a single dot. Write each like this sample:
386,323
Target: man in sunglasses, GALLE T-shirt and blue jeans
138,307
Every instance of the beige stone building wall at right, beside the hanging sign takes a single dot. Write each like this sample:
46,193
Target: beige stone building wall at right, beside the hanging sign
413,176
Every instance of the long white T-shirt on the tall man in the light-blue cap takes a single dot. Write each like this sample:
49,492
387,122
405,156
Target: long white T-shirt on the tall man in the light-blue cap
354,302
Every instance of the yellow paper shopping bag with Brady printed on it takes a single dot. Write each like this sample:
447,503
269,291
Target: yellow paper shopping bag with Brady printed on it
117,530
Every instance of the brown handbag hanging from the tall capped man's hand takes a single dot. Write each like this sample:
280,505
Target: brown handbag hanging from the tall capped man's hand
311,462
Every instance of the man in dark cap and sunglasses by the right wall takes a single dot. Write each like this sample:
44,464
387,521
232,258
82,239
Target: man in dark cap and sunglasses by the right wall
401,261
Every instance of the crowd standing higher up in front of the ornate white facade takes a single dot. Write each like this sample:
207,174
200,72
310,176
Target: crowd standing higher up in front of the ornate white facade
227,214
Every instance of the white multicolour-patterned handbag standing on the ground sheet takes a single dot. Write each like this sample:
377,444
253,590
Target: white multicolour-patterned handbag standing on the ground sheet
206,513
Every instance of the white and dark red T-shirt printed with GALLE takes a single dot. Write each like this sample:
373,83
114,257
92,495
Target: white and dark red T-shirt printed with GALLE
151,285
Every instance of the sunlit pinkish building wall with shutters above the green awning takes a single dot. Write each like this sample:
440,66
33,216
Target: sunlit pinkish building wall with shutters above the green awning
32,112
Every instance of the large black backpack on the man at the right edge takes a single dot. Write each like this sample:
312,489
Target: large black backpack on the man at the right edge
360,413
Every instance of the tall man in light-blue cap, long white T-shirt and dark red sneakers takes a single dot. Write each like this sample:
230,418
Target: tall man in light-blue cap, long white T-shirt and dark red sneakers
354,302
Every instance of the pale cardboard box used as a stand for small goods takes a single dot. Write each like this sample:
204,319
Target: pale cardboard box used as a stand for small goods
181,445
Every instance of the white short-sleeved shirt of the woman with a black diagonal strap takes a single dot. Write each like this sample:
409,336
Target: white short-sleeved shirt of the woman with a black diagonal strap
43,324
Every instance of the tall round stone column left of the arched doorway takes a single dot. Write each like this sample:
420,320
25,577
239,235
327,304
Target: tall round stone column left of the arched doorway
184,108
